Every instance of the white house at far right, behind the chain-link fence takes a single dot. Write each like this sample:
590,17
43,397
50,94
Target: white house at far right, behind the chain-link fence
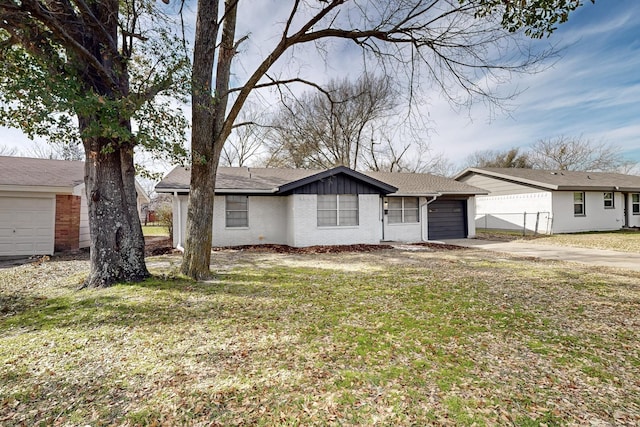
554,201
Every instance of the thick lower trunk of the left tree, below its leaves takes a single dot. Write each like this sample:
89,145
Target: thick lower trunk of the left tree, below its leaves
117,243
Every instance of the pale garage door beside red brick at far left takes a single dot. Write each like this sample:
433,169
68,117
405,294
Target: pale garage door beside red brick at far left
27,225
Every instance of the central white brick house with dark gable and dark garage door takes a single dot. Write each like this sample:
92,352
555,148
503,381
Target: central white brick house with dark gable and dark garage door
333,207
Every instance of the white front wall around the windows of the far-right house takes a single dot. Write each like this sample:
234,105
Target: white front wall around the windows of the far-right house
596,217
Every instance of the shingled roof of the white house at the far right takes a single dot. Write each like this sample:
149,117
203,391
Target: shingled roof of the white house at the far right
561,179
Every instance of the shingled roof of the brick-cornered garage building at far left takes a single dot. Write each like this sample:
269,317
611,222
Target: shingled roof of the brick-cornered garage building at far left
28,172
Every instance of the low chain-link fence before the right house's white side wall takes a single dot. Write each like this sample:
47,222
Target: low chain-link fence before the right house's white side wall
526,222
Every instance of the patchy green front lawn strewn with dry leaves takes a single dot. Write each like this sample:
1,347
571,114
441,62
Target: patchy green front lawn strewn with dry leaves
384,338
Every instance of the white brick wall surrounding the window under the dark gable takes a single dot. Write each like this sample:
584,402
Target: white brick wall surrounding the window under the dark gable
303,211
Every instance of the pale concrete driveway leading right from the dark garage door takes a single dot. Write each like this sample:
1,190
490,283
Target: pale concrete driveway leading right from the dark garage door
589,256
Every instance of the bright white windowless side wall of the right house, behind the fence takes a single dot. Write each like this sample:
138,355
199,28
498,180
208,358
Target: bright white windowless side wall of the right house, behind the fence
507,212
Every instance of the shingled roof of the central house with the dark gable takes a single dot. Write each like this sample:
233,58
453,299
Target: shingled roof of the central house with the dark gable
269,180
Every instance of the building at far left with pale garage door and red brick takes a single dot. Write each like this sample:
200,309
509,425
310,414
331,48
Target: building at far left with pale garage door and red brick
43,206
